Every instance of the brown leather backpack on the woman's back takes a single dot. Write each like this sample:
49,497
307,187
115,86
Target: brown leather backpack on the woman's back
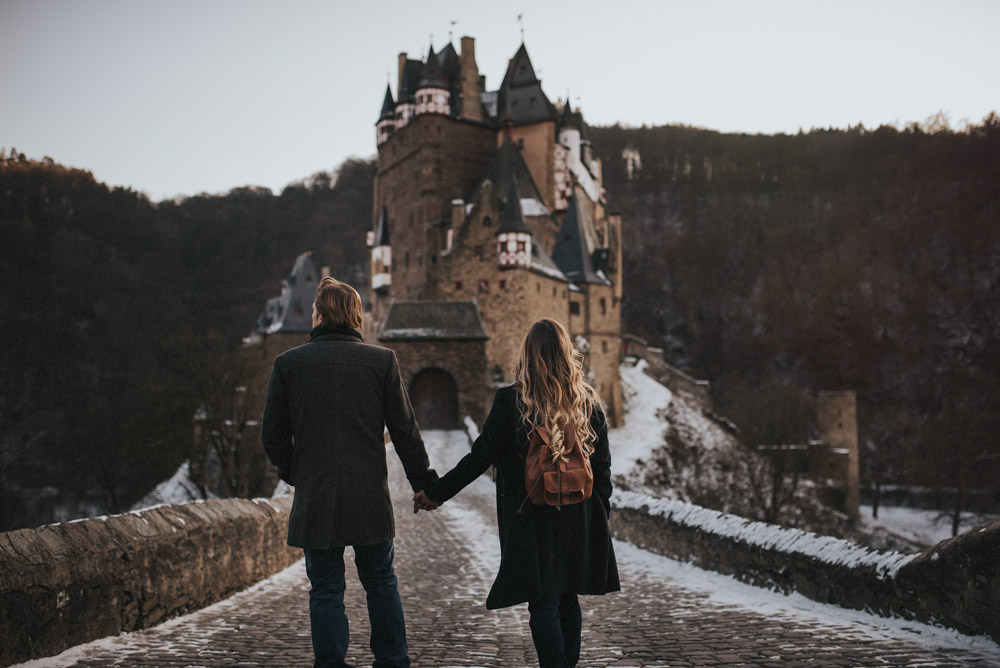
556,483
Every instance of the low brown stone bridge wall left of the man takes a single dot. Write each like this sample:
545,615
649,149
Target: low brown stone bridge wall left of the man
70,583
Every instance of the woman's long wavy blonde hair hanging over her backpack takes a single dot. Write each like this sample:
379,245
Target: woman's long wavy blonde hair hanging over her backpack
549,379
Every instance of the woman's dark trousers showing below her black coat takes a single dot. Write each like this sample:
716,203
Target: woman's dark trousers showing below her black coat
555,624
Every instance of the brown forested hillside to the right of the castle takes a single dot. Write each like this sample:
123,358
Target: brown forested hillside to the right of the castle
865,260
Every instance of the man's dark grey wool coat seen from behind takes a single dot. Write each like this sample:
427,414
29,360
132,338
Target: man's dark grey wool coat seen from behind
327,405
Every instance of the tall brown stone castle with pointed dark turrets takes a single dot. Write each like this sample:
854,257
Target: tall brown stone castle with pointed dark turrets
489,213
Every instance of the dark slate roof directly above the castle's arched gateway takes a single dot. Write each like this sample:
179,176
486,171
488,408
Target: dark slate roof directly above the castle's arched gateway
433,321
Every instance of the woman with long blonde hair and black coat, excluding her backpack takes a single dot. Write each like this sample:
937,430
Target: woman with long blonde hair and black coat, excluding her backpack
548,555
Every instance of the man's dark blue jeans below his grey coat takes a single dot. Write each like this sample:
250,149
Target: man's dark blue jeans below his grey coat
330,633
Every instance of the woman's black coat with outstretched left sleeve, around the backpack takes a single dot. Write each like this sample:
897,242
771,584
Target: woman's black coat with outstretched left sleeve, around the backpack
544,550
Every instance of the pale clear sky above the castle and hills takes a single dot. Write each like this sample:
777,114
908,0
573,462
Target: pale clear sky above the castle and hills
186,96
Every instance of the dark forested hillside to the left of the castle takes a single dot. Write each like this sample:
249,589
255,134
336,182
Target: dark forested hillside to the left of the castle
116,311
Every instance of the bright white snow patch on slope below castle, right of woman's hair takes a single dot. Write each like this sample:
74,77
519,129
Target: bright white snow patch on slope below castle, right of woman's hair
643,431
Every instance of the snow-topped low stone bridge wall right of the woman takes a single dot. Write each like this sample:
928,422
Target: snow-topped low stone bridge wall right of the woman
955,583
